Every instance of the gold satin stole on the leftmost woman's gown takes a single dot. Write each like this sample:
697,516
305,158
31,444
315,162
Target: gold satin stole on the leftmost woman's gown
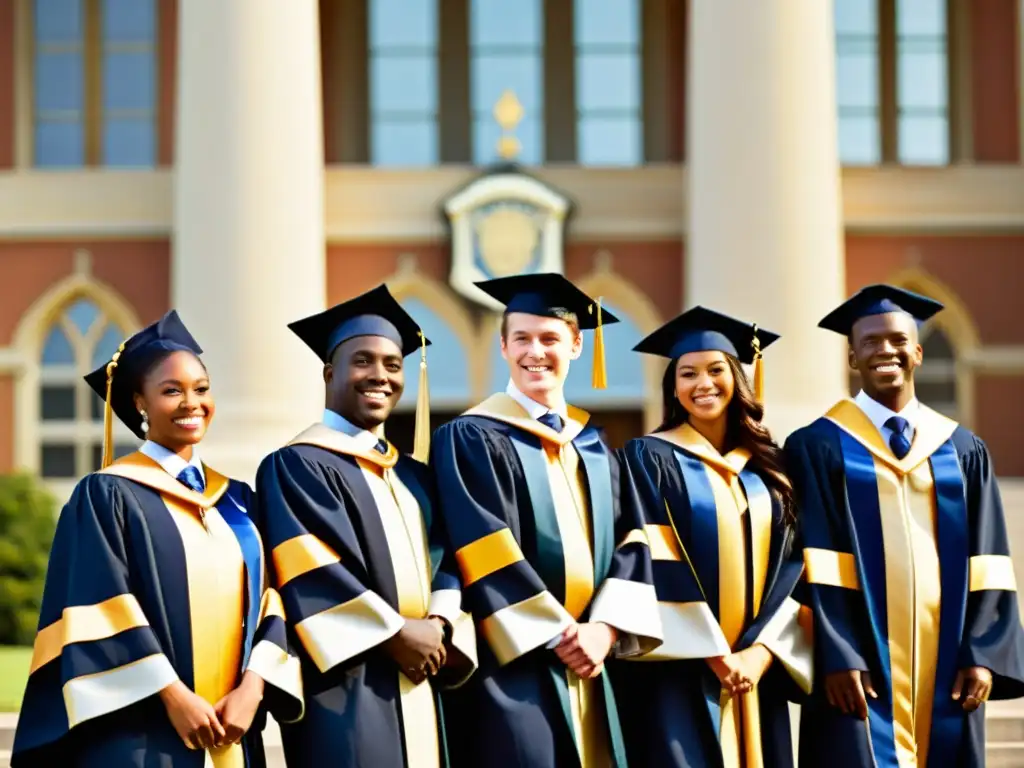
216,575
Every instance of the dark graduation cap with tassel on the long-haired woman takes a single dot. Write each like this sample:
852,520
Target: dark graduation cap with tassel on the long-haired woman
703,330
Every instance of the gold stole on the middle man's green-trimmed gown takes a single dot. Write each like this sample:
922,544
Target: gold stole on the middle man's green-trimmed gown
574,518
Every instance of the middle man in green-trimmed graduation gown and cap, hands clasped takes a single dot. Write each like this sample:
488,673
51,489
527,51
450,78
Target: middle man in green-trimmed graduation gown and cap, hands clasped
535,505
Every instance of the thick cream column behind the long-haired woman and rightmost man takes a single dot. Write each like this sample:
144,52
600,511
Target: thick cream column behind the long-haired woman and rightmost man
765,235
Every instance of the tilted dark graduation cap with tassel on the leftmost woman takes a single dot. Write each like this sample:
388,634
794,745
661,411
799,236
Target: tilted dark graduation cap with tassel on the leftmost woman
117,381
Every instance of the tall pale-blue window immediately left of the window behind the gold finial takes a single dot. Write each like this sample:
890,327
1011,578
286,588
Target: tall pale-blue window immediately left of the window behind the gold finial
404,82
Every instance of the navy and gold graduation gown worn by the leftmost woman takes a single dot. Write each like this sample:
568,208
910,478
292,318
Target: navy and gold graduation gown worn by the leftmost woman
150,582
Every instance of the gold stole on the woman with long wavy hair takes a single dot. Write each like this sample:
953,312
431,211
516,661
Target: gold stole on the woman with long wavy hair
740,733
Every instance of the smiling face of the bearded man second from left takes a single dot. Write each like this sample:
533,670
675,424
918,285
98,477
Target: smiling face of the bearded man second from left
365,380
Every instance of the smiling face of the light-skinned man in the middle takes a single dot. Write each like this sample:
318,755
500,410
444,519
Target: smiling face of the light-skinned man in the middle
539,352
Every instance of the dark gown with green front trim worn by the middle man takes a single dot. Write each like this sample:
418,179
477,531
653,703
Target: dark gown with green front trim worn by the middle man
534,562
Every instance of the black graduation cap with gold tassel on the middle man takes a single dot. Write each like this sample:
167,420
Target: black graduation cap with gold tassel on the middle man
548,295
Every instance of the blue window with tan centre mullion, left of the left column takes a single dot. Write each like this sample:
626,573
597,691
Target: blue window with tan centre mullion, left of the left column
96,83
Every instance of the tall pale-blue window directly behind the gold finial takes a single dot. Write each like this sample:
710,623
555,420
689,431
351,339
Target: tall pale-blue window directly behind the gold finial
506,49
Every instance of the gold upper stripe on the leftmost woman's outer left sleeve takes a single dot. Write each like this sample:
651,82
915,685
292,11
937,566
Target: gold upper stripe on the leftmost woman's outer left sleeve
86,623
